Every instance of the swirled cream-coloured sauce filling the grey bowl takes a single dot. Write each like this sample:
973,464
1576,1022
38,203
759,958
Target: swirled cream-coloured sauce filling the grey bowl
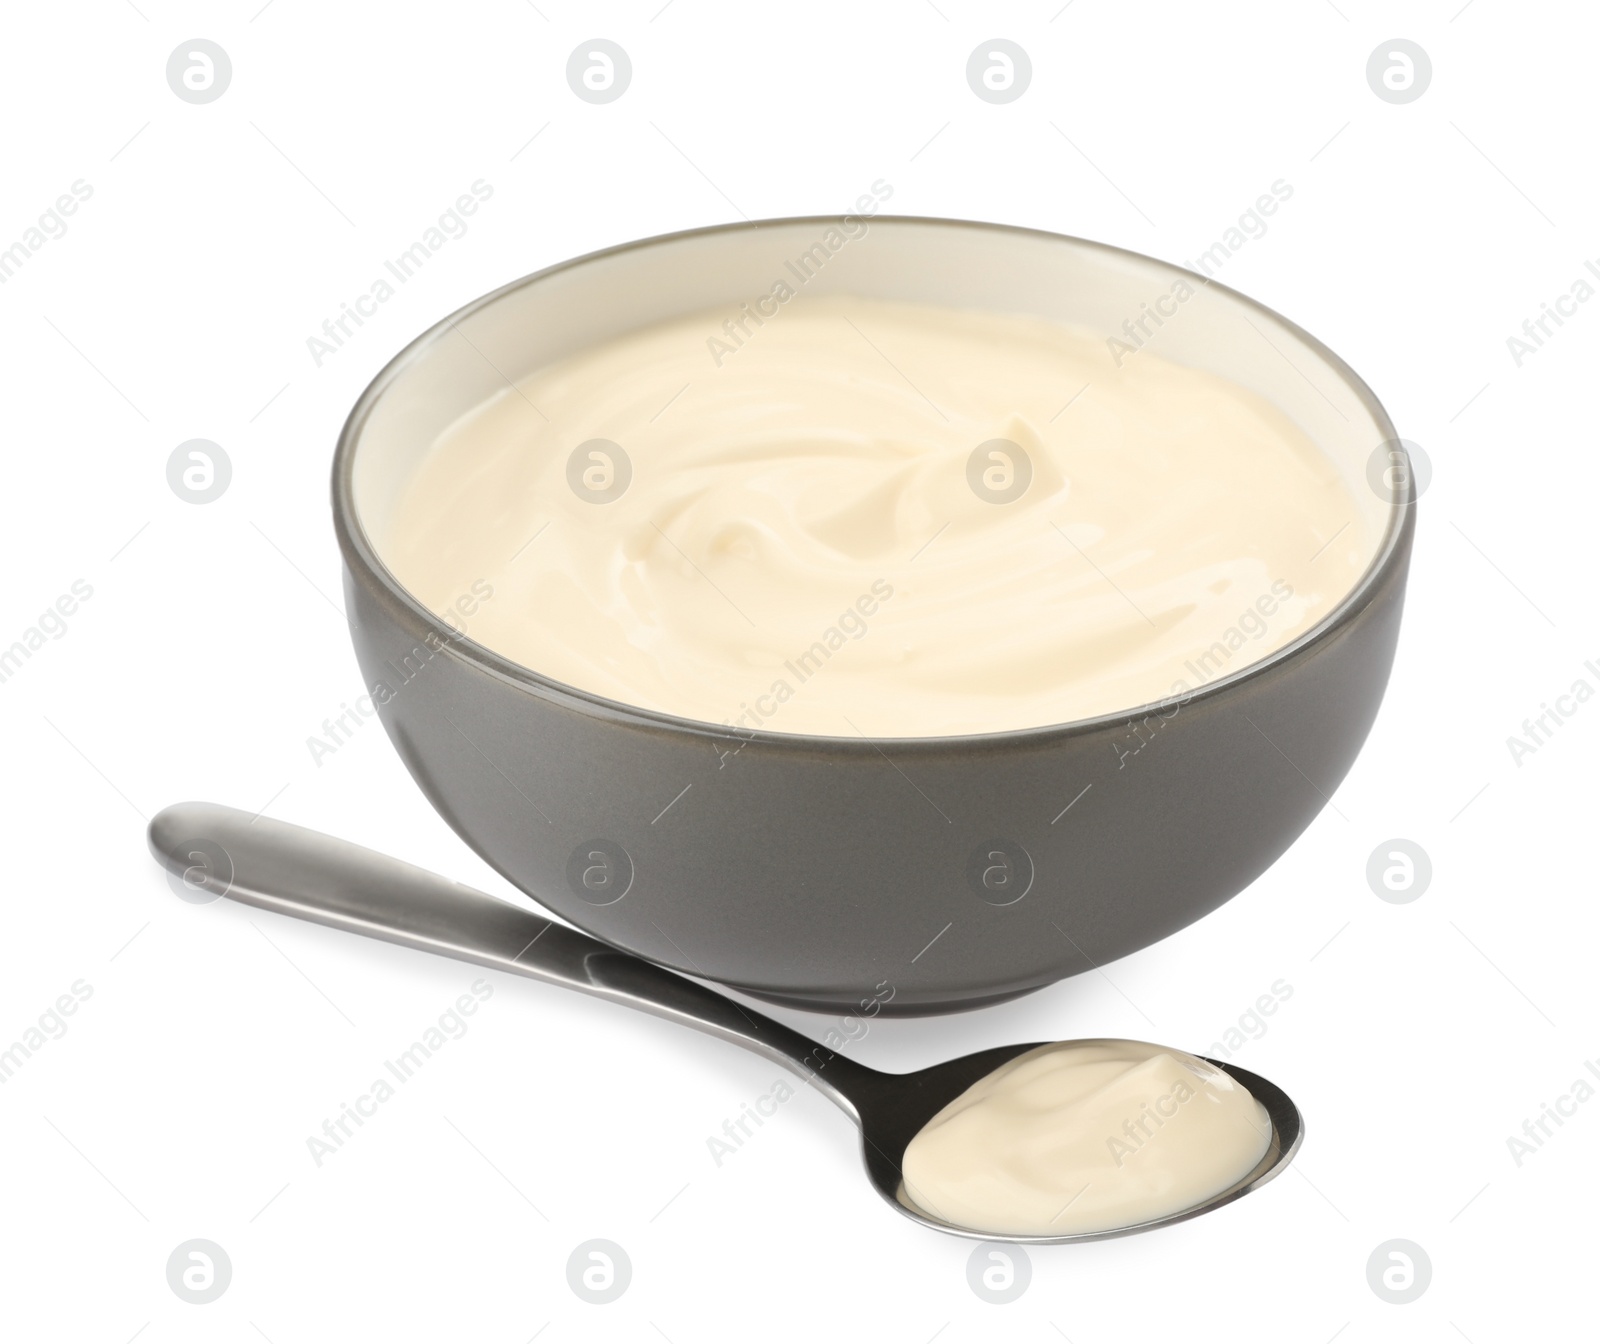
801,546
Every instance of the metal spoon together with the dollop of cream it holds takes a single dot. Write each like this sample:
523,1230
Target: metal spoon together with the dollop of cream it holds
913,1126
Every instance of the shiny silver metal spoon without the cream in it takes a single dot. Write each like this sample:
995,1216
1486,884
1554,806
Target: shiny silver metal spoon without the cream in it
316,878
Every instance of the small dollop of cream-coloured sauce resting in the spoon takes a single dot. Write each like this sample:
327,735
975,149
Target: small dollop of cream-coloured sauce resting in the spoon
1086,1137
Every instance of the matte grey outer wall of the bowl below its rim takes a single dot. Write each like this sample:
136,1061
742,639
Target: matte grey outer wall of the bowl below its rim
836,876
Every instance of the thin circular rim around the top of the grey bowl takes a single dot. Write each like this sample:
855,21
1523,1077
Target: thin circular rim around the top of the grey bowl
366,566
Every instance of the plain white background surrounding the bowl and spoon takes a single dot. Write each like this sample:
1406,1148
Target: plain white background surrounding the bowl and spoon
217,1039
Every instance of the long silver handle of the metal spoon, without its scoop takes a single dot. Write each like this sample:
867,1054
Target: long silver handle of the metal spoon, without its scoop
318,878
